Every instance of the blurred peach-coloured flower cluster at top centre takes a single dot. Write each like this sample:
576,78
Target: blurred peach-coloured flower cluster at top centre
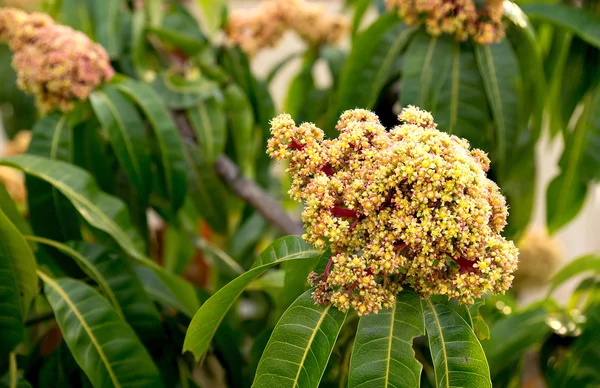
265,26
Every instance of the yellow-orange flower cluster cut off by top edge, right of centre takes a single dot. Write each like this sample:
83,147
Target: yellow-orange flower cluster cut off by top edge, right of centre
462,18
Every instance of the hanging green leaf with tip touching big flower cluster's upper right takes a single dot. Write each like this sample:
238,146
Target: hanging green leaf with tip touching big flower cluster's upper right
501,80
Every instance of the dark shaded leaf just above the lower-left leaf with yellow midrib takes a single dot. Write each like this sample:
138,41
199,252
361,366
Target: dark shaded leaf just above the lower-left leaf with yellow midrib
137,307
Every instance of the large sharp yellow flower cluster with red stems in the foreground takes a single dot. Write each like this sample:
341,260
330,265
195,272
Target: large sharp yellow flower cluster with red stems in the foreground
407,207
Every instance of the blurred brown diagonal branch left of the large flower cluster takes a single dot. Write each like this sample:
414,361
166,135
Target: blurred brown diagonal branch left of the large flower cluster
244,188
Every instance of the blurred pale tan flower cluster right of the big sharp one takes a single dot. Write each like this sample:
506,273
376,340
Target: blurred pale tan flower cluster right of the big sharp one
539,257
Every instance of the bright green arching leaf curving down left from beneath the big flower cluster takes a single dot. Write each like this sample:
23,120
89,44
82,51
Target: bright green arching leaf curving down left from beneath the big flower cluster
213,311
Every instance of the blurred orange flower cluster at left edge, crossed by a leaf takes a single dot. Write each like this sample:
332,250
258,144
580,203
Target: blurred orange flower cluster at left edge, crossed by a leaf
13,180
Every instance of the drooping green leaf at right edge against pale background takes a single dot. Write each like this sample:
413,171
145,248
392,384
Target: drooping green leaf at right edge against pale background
579,164
